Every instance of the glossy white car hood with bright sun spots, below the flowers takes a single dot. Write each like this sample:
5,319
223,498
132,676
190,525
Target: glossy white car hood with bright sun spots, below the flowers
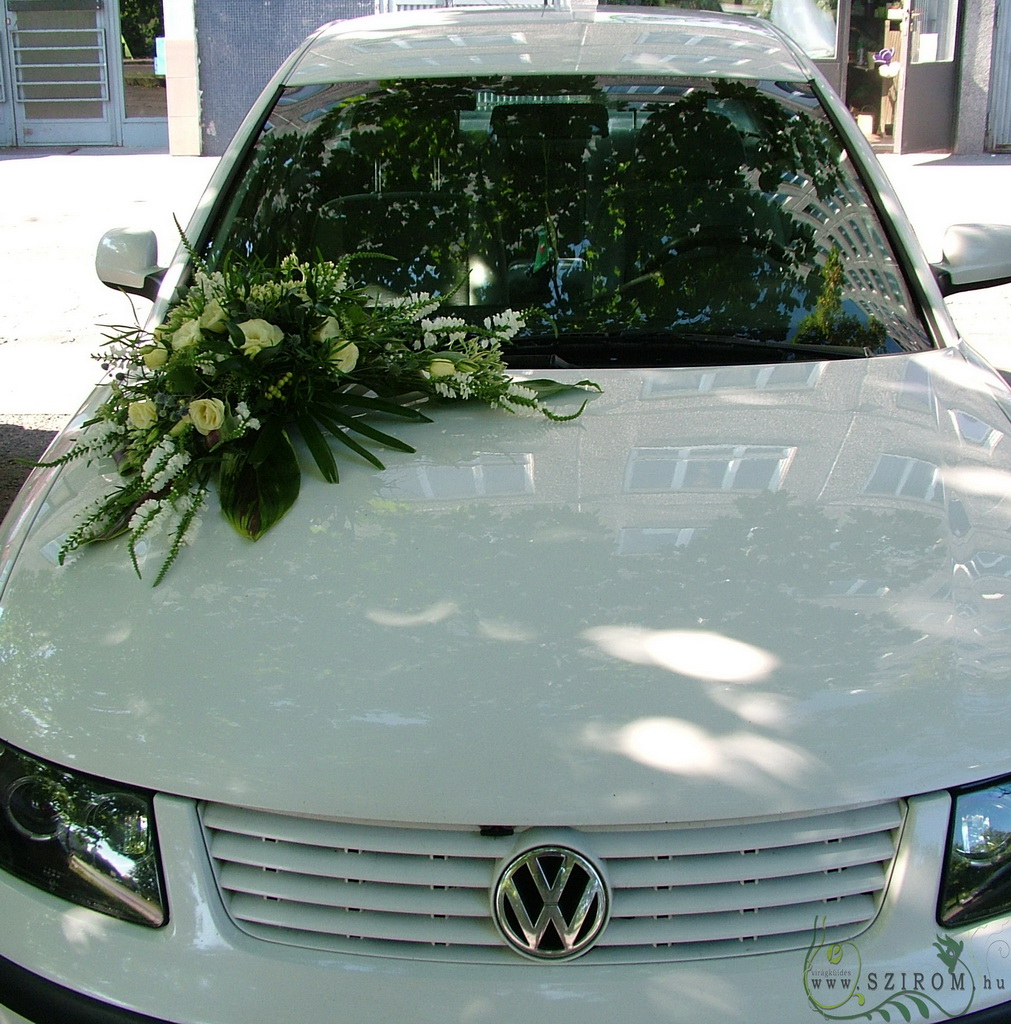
720,594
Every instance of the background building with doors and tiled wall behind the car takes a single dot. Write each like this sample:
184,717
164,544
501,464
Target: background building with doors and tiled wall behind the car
920,75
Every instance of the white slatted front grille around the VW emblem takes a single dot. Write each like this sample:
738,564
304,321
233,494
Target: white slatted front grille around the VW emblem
678,893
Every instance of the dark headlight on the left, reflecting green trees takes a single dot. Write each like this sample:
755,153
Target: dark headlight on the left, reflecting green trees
80,838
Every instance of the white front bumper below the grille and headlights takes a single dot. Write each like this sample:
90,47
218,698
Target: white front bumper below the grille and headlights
63,963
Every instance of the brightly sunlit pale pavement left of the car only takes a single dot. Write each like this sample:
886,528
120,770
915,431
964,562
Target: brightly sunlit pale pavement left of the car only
57,206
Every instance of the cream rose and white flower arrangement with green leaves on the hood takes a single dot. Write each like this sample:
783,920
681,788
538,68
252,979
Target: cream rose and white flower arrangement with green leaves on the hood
251,353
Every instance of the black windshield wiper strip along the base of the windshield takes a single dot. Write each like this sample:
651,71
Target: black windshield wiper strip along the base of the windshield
660,349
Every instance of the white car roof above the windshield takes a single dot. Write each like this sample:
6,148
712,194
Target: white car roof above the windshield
579,40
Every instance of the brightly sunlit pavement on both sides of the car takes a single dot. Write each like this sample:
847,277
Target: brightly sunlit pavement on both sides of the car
58,204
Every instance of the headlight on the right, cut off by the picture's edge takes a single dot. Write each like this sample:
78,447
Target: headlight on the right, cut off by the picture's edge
977,883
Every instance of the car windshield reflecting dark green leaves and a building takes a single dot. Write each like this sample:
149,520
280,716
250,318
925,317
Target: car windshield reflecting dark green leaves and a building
633,222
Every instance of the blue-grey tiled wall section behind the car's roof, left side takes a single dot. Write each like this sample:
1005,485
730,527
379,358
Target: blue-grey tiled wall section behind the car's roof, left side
241,44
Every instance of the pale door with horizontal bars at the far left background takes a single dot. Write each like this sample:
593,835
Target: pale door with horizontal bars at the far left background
60,66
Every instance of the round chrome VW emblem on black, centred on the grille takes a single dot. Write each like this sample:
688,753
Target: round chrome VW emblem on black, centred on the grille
551,904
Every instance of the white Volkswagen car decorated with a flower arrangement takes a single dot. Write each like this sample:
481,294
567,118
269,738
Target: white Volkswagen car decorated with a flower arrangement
692,708
